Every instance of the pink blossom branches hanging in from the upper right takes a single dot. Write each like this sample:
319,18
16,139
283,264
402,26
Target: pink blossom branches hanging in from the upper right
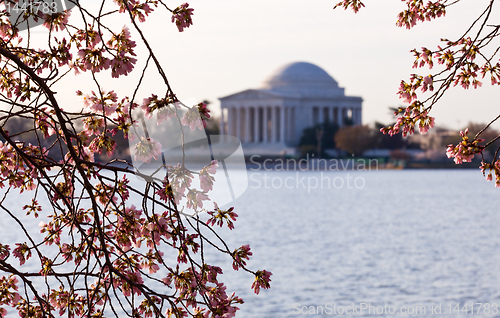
464,62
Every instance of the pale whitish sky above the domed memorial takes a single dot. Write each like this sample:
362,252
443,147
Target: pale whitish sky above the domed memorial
235,45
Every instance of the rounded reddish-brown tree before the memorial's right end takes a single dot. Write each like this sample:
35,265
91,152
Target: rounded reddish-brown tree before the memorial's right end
355,139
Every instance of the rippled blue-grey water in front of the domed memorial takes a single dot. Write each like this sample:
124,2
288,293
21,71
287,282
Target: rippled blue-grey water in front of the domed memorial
396,240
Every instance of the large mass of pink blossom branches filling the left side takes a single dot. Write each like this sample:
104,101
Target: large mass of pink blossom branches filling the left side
106,246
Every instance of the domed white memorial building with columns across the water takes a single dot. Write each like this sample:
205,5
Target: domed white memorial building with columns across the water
270,119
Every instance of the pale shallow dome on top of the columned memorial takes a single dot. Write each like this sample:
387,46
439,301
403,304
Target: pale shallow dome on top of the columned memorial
302,79
